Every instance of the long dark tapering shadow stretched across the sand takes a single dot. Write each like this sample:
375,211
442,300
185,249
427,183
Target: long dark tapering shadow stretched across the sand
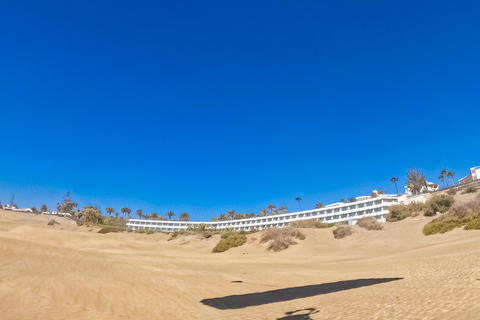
260,298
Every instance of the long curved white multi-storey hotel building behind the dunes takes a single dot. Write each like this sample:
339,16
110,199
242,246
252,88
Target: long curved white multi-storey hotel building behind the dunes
349,211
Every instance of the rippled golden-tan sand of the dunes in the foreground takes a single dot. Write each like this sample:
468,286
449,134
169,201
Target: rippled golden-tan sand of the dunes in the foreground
66,272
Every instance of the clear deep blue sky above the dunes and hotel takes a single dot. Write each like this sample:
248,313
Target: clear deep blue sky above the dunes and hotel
207,106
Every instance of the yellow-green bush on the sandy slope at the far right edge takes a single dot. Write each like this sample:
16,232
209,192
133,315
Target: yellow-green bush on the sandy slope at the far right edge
467,214
